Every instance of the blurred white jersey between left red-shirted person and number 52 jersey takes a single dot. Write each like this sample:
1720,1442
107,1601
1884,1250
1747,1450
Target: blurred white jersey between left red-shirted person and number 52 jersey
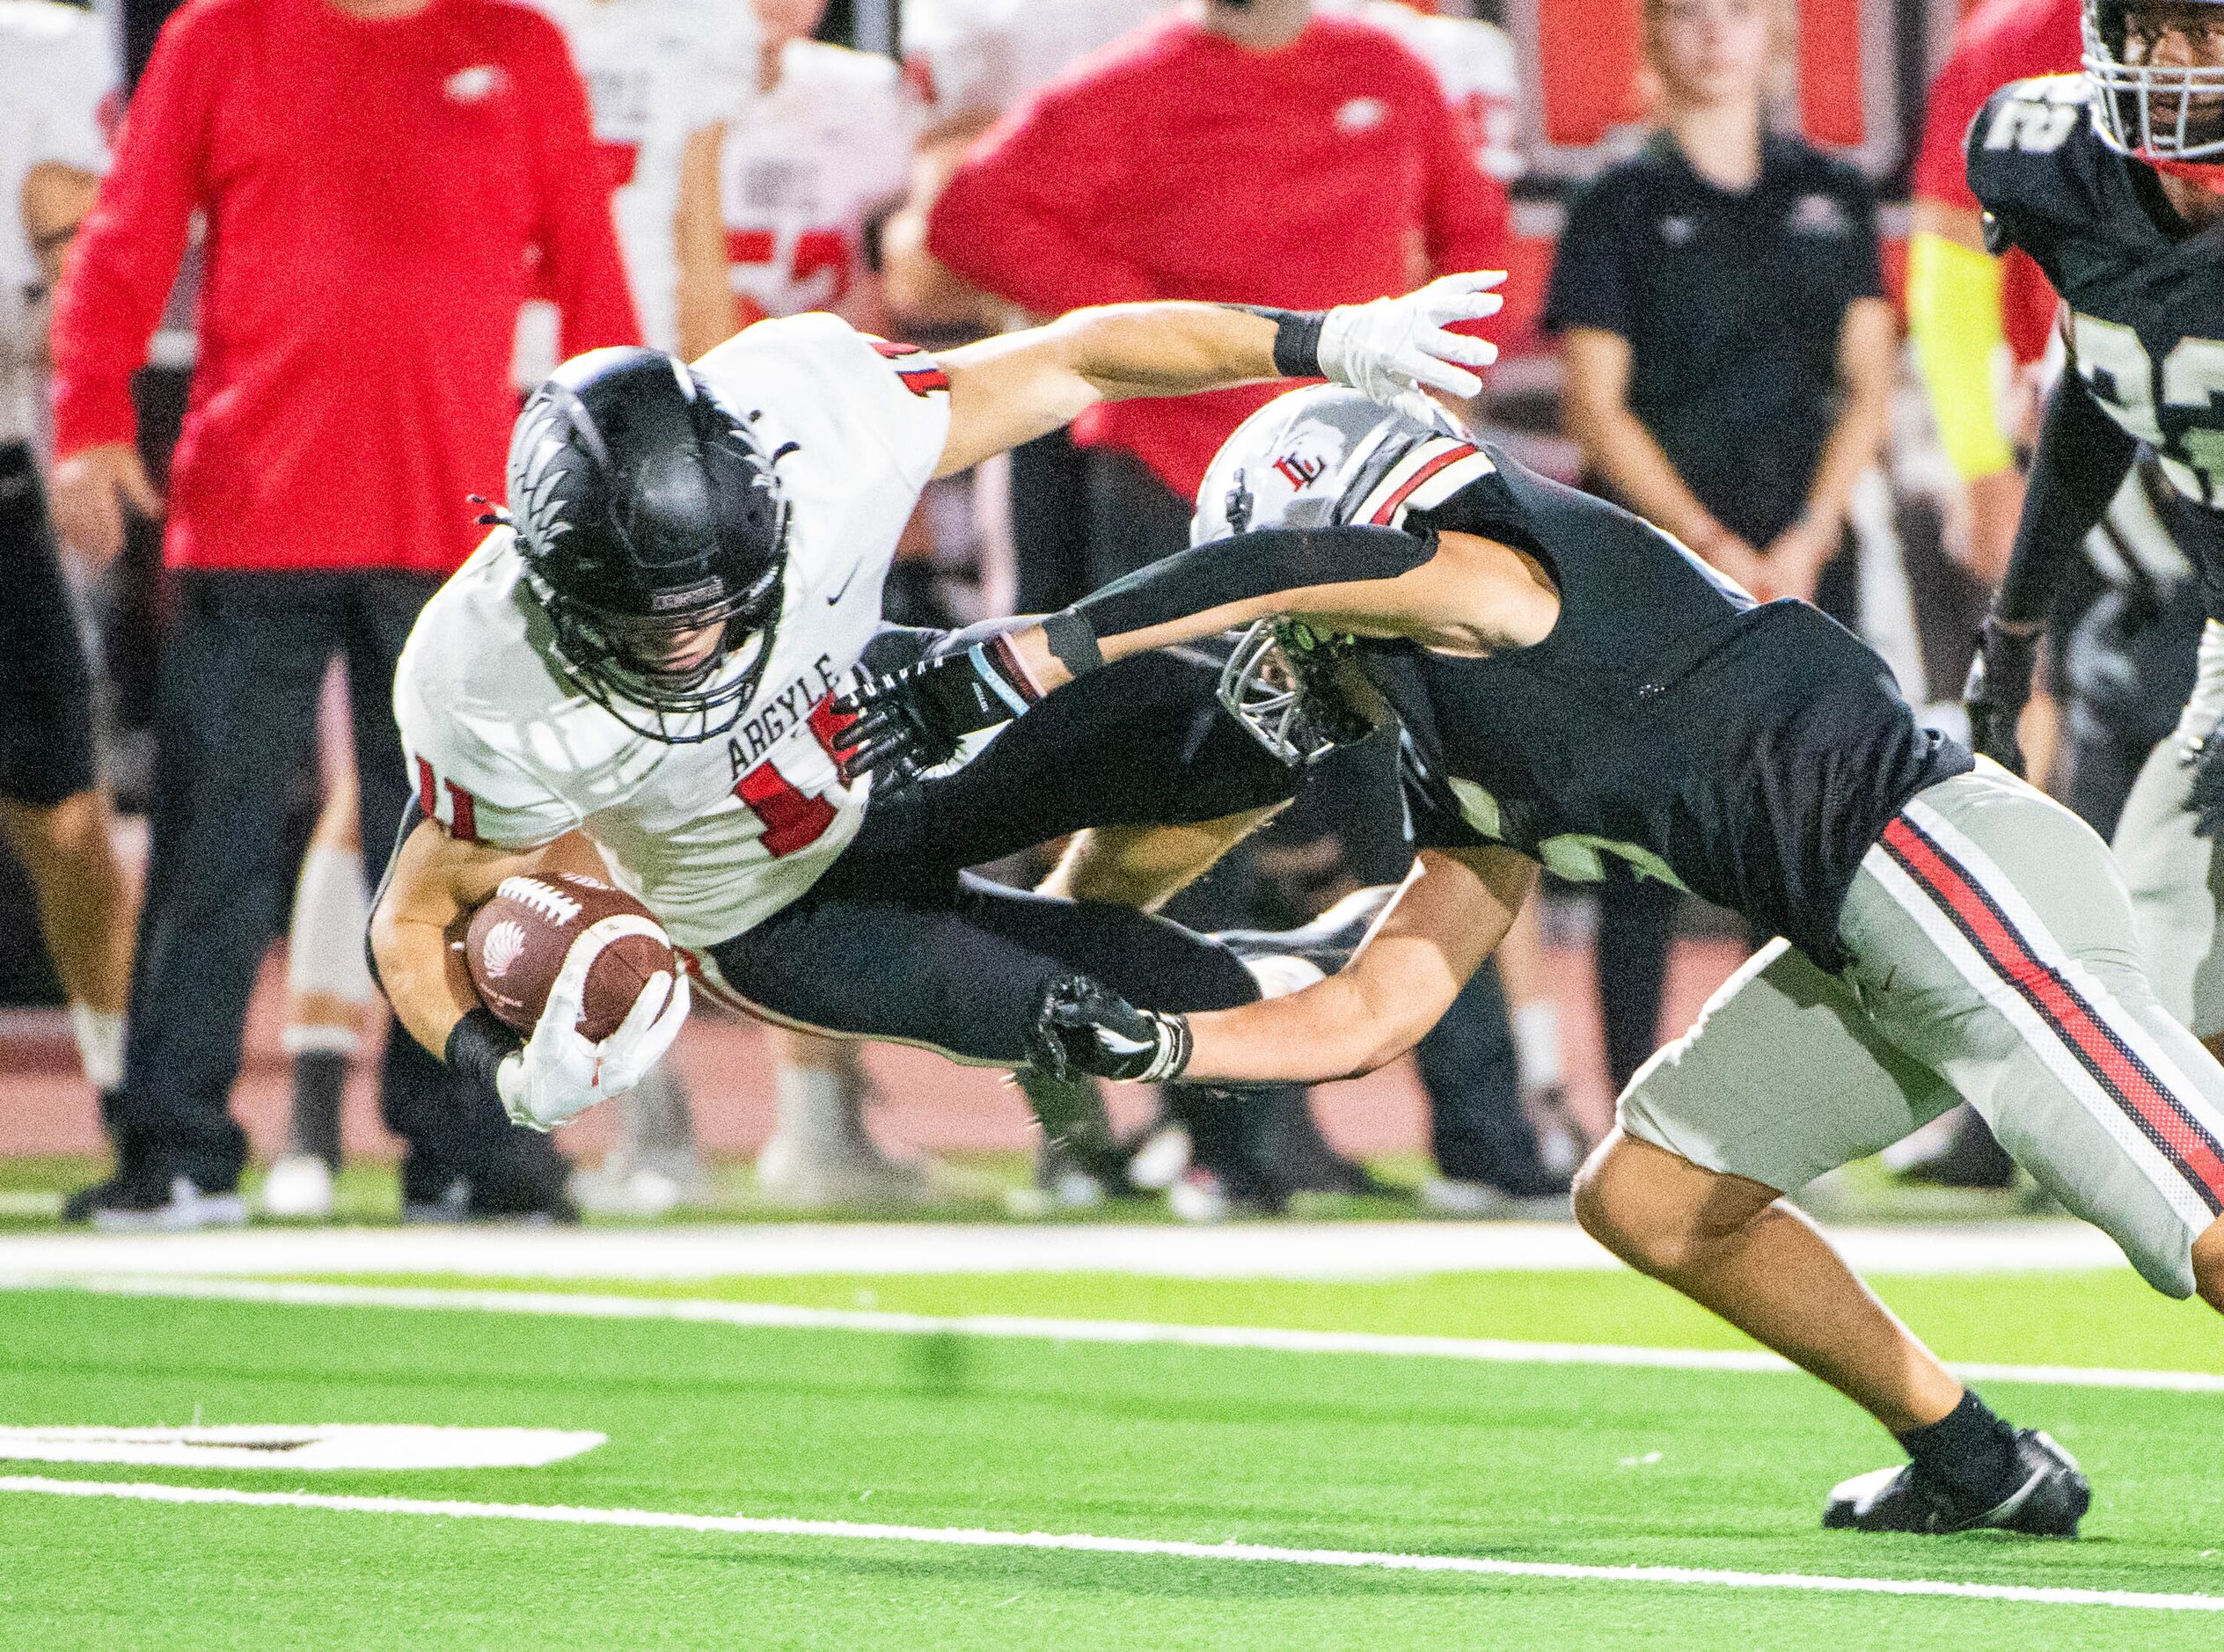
657,72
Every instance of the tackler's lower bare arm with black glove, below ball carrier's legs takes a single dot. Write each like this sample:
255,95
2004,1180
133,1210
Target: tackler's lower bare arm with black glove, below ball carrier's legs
1451,915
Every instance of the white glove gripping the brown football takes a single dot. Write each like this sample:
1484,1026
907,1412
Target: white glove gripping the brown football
562,1073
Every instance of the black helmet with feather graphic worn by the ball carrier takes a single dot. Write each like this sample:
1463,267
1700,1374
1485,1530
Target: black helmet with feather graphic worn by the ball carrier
646,508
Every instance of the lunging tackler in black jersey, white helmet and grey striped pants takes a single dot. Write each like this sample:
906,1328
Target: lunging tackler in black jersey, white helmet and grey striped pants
1573,686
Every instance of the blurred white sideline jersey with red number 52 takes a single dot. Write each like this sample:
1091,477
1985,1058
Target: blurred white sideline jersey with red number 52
804,168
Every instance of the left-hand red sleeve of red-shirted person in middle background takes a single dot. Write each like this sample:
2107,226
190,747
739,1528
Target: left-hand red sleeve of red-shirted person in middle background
1015,219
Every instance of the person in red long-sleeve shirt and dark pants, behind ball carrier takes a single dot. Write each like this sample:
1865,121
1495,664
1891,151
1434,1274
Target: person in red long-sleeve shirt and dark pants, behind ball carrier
384,186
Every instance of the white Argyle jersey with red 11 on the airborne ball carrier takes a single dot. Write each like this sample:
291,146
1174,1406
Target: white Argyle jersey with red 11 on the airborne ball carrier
508,750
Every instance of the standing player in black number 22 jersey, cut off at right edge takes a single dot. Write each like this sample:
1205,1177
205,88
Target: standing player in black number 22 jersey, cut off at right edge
2114,181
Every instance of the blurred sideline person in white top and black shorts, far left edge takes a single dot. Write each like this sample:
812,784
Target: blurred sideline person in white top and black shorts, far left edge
57,81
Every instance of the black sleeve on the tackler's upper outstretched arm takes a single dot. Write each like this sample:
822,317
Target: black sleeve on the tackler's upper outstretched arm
1251,566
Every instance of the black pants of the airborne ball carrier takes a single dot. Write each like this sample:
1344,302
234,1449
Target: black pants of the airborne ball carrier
900,942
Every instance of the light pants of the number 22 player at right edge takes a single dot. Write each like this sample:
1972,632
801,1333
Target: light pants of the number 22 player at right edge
2178,877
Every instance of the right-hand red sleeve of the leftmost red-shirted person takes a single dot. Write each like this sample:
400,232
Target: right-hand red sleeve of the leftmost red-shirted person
579,239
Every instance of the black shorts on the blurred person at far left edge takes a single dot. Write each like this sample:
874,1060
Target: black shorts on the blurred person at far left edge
46,681
